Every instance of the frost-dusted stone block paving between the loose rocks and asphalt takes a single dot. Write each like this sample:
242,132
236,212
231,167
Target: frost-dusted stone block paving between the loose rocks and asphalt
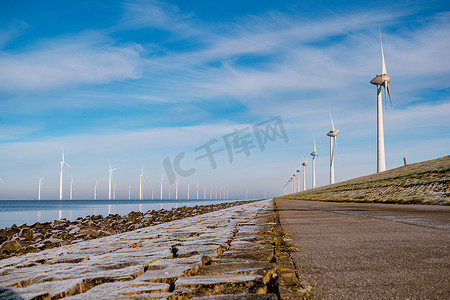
214,254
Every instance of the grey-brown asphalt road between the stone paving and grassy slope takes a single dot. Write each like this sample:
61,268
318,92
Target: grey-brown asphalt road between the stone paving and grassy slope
370,251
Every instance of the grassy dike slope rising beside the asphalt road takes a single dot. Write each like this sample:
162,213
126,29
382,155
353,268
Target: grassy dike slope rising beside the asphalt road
425,182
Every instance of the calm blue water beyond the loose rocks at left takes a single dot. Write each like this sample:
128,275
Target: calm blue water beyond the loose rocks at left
31,211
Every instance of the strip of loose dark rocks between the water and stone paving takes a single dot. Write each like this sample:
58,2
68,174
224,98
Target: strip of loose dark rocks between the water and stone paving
17,240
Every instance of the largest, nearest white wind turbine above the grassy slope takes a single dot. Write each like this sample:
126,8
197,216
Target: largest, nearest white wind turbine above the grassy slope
381,81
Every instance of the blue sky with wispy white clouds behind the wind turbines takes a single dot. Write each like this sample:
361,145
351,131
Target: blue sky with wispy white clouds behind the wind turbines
134,82
